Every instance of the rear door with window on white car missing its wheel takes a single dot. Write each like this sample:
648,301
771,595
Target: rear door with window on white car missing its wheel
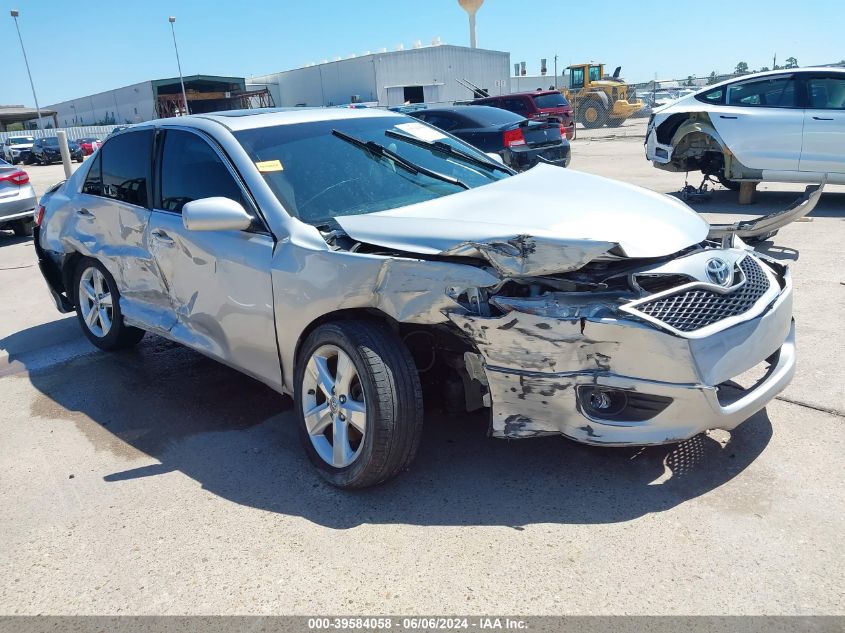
761,122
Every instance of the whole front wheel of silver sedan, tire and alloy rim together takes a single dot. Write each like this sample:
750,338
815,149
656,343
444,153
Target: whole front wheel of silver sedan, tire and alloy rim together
359,402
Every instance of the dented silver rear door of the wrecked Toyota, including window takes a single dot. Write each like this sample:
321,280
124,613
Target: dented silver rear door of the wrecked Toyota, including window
110,220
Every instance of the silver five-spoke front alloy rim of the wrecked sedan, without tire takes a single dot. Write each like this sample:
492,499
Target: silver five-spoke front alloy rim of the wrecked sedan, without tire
333,406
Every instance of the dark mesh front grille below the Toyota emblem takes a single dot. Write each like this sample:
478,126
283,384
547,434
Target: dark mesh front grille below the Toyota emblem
694,309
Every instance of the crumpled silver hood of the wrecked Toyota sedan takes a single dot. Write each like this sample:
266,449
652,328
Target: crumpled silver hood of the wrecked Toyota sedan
542,221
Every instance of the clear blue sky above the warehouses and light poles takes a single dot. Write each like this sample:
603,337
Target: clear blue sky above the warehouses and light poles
111,44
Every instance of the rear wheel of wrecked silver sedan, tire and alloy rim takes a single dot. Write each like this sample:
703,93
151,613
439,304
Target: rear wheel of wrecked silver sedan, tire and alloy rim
97,301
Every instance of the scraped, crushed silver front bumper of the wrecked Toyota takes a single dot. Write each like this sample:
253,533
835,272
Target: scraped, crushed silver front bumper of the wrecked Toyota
540,371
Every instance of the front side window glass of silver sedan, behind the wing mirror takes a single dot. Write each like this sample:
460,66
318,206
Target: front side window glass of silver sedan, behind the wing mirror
190,170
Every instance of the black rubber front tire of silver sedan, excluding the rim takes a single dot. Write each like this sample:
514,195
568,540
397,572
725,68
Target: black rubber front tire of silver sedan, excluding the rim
393,395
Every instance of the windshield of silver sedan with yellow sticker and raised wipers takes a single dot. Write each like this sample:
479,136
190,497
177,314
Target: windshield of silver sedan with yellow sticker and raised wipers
317,175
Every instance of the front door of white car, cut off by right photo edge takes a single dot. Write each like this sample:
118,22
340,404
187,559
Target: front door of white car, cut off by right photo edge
824,124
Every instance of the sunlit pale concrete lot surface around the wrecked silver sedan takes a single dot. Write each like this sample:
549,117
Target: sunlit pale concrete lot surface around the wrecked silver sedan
155,481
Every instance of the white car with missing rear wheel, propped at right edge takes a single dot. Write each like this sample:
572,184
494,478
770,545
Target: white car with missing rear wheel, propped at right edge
780,126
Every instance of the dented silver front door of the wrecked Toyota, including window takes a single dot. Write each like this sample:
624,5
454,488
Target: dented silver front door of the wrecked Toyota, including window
218,281
